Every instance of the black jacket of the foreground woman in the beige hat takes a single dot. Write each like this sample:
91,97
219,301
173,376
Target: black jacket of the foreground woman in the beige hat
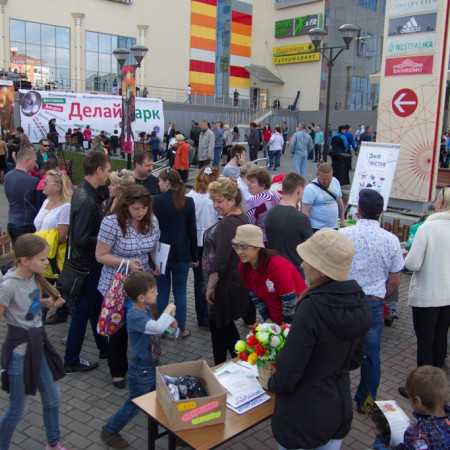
312,382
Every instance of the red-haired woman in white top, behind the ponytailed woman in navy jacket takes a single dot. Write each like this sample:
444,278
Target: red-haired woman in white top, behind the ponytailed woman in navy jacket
206,216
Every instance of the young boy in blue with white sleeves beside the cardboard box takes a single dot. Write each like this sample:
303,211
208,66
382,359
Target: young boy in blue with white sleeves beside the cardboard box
143,334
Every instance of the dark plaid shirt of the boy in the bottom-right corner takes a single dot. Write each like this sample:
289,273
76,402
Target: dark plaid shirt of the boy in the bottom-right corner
428,433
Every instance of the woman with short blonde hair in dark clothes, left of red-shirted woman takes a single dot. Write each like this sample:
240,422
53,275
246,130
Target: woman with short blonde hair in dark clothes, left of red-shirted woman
226,296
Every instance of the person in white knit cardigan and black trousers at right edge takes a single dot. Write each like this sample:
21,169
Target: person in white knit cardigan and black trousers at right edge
429,292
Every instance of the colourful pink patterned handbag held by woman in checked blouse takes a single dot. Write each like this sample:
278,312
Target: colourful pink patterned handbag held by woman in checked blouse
112,313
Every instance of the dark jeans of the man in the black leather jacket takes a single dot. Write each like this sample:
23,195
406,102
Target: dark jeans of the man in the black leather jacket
86,309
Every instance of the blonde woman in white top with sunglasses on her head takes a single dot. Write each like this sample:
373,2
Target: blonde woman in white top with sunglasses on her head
55,211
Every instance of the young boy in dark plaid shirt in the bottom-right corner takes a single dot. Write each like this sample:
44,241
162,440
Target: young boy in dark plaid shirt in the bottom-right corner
428,391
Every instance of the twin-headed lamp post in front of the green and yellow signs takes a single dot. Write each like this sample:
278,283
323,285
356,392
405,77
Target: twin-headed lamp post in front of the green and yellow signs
317,35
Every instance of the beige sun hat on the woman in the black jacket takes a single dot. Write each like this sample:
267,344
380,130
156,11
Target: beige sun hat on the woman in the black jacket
328,251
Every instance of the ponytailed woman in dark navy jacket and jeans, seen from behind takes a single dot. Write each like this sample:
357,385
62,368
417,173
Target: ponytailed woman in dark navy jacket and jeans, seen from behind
176,216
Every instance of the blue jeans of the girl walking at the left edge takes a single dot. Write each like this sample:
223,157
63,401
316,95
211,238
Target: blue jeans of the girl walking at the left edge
18,400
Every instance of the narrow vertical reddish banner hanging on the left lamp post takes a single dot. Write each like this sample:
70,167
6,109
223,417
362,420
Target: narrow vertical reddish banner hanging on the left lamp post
128,108
